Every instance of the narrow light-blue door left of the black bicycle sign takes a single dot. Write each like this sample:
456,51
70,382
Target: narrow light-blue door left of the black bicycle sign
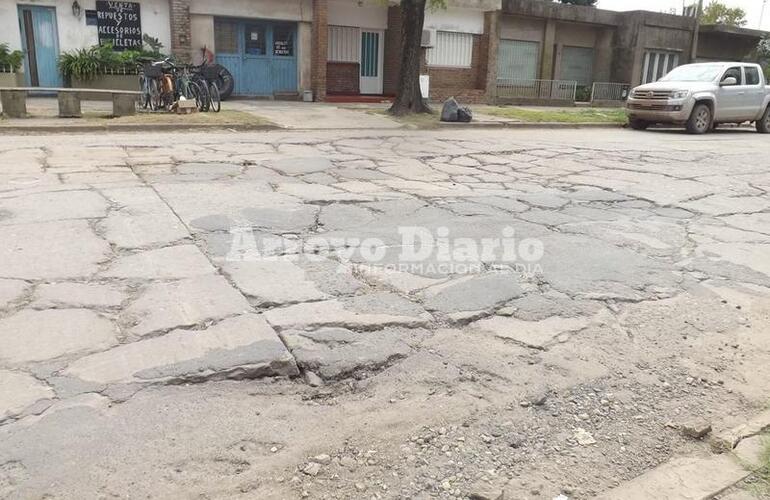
40,41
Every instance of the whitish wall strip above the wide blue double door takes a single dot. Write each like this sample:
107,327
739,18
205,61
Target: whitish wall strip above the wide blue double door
286,10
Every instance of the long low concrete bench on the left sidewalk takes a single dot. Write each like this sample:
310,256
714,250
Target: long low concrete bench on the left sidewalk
14,100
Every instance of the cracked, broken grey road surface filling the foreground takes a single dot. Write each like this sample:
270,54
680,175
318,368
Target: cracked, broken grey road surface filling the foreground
144,354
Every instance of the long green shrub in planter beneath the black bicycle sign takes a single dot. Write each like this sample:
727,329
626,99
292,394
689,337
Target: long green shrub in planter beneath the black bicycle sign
86,64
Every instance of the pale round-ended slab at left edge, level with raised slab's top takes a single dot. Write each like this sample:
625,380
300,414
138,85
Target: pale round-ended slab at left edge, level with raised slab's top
30,336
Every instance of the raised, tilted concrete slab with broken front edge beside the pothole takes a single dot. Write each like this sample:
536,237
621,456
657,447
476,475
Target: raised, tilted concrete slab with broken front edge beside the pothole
236,348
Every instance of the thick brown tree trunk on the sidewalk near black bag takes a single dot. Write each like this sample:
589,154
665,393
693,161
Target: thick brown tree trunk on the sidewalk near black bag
408,96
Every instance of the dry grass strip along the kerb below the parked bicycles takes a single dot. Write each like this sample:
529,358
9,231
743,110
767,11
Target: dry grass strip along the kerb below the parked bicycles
224,118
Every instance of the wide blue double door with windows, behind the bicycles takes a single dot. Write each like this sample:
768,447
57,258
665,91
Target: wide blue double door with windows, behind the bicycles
261,55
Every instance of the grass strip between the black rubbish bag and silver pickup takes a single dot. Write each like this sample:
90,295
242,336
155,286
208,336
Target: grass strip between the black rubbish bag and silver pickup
577,115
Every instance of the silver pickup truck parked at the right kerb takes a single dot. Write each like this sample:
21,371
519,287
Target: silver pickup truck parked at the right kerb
701,96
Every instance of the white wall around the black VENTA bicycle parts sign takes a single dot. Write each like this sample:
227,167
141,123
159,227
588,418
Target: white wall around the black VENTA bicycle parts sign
73,32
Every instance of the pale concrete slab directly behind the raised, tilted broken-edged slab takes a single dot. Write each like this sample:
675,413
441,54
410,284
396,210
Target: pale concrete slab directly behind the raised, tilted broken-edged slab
163,306
